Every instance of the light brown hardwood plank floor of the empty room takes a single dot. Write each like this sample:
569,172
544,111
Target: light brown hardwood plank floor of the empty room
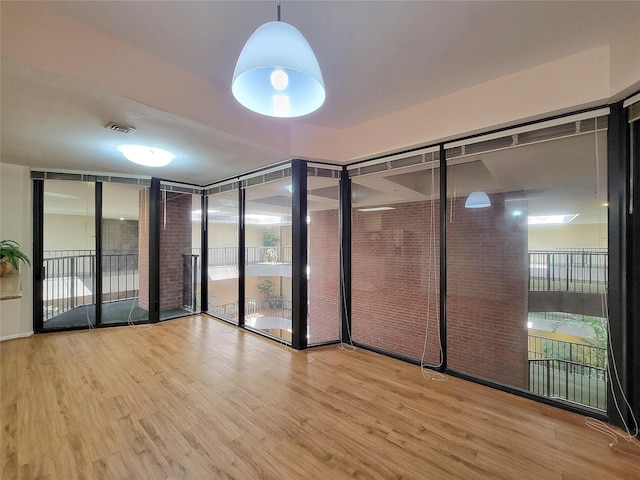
196,398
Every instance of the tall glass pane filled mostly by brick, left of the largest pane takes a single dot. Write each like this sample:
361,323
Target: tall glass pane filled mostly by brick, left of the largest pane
395,261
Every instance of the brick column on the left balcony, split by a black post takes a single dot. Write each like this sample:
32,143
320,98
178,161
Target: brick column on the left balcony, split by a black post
175,240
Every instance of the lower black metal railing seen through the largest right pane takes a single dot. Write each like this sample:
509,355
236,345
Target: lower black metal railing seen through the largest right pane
570,381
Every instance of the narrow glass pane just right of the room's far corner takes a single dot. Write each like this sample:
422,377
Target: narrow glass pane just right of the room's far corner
222,269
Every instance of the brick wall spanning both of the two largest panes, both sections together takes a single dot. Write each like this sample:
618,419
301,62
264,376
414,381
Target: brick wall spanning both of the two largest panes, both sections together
487,286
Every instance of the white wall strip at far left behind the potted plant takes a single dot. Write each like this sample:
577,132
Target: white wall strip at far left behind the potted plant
15,224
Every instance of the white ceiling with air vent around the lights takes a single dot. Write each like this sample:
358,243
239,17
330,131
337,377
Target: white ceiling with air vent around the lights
80,68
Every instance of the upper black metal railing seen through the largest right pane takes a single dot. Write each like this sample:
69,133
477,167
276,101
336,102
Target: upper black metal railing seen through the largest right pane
582,270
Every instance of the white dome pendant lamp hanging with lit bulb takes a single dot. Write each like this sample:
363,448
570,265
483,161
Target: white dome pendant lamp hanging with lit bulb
277,73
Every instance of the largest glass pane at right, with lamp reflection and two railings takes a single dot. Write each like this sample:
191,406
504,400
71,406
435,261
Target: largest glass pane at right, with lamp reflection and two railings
526,274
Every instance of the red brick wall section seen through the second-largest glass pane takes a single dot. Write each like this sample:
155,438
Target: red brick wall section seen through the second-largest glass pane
391,273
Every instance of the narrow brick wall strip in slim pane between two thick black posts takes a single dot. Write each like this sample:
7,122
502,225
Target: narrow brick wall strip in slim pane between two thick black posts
324,279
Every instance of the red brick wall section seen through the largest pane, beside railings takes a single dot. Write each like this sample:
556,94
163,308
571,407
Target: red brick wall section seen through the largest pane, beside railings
487,291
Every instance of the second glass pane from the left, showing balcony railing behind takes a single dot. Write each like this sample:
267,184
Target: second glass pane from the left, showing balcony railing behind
124,232
